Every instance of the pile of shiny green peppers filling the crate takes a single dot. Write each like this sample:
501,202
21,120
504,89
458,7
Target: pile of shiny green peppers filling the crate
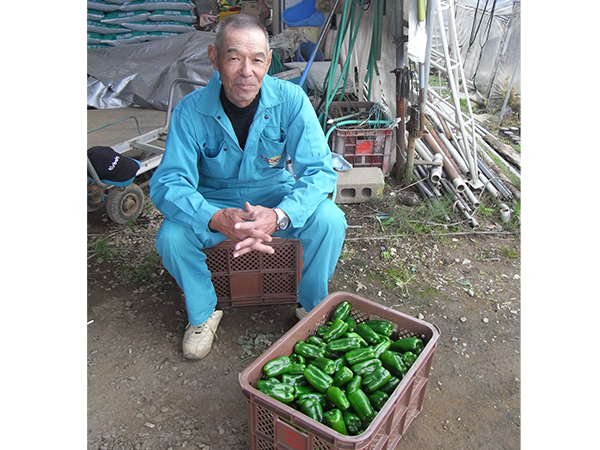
343,375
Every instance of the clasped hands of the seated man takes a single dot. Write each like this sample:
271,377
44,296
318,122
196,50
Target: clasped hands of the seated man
250,228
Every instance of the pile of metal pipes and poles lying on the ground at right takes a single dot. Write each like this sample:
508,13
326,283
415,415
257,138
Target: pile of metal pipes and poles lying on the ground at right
441,165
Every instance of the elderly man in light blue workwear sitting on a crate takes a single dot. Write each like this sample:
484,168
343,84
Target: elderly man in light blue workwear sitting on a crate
223,175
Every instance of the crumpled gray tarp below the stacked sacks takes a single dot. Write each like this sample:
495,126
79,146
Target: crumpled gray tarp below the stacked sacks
140,75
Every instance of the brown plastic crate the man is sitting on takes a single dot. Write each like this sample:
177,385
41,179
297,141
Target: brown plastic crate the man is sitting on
256,278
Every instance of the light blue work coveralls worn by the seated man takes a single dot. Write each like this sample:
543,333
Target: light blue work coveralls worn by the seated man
203,169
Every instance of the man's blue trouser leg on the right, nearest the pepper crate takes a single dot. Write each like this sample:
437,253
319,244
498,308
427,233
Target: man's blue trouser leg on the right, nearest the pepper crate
322,238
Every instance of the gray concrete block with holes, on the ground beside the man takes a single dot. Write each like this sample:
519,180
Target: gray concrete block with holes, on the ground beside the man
359,184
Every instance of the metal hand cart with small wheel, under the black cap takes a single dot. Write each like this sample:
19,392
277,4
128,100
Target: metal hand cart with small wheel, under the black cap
124,201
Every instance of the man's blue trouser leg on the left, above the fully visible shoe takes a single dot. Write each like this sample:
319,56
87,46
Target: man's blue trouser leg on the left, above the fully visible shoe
181,251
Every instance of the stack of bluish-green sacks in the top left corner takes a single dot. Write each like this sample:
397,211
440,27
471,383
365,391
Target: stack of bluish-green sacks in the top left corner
118,22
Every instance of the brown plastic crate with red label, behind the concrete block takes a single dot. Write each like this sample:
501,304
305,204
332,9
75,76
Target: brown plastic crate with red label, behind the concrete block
365,147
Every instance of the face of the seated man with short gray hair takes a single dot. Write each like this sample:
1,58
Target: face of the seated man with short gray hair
242,64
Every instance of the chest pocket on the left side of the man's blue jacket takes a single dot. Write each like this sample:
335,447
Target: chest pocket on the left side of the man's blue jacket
217,160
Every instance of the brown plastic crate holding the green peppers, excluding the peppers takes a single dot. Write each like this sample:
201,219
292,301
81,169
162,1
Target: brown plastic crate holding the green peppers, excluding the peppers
274,425
